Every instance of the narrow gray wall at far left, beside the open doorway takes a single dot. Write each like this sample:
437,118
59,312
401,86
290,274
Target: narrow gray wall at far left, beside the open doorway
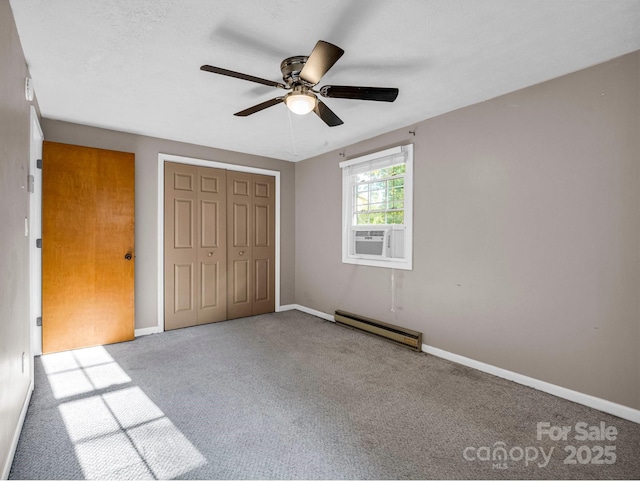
14,246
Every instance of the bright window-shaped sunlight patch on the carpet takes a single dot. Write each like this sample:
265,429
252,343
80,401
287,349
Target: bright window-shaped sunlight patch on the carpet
116,430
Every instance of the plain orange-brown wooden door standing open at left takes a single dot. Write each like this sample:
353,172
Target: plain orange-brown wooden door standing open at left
87,247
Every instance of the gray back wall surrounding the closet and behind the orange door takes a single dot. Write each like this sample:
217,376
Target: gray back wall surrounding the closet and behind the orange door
146,150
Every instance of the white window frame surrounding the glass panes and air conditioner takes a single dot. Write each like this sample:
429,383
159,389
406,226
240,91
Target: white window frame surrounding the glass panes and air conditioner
348,226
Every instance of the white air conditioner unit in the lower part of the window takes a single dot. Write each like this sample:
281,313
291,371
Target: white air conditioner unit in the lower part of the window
384,242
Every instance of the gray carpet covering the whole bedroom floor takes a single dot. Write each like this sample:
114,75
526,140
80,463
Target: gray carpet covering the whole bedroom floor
291,396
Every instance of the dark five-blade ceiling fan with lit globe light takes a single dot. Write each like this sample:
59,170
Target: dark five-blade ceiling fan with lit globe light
300,75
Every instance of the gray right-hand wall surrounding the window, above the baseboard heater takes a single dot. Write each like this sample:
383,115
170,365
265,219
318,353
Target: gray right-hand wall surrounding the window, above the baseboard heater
526,233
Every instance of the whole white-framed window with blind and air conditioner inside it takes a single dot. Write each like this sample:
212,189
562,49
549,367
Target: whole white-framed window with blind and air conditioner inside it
377,202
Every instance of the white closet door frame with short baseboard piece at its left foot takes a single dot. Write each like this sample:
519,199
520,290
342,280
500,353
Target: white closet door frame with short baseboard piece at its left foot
162,158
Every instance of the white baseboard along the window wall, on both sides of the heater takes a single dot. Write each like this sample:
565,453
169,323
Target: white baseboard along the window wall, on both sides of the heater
624,412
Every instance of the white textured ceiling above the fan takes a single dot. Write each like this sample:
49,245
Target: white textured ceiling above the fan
133,65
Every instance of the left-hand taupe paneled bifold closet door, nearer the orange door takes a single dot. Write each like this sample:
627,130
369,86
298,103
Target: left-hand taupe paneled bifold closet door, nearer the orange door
195,245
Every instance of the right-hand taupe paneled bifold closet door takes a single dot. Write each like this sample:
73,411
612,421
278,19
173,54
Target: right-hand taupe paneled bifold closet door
251,244
